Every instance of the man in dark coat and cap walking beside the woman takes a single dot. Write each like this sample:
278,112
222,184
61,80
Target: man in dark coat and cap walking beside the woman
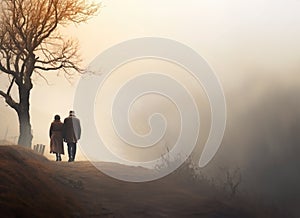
72,132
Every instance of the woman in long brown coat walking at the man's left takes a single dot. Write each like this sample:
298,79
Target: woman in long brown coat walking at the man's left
56,137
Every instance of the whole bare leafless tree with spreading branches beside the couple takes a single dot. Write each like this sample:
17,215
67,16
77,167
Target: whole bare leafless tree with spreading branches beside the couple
30,43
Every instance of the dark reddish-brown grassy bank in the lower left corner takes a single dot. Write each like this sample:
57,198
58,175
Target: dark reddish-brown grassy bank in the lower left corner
28,187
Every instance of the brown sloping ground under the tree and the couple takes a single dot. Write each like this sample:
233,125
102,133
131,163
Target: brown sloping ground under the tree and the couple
32,186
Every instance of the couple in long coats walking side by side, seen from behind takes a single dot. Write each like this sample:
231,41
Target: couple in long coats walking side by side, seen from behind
69,131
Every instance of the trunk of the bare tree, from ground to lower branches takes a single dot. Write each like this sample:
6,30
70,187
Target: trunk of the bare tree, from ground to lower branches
25,137
